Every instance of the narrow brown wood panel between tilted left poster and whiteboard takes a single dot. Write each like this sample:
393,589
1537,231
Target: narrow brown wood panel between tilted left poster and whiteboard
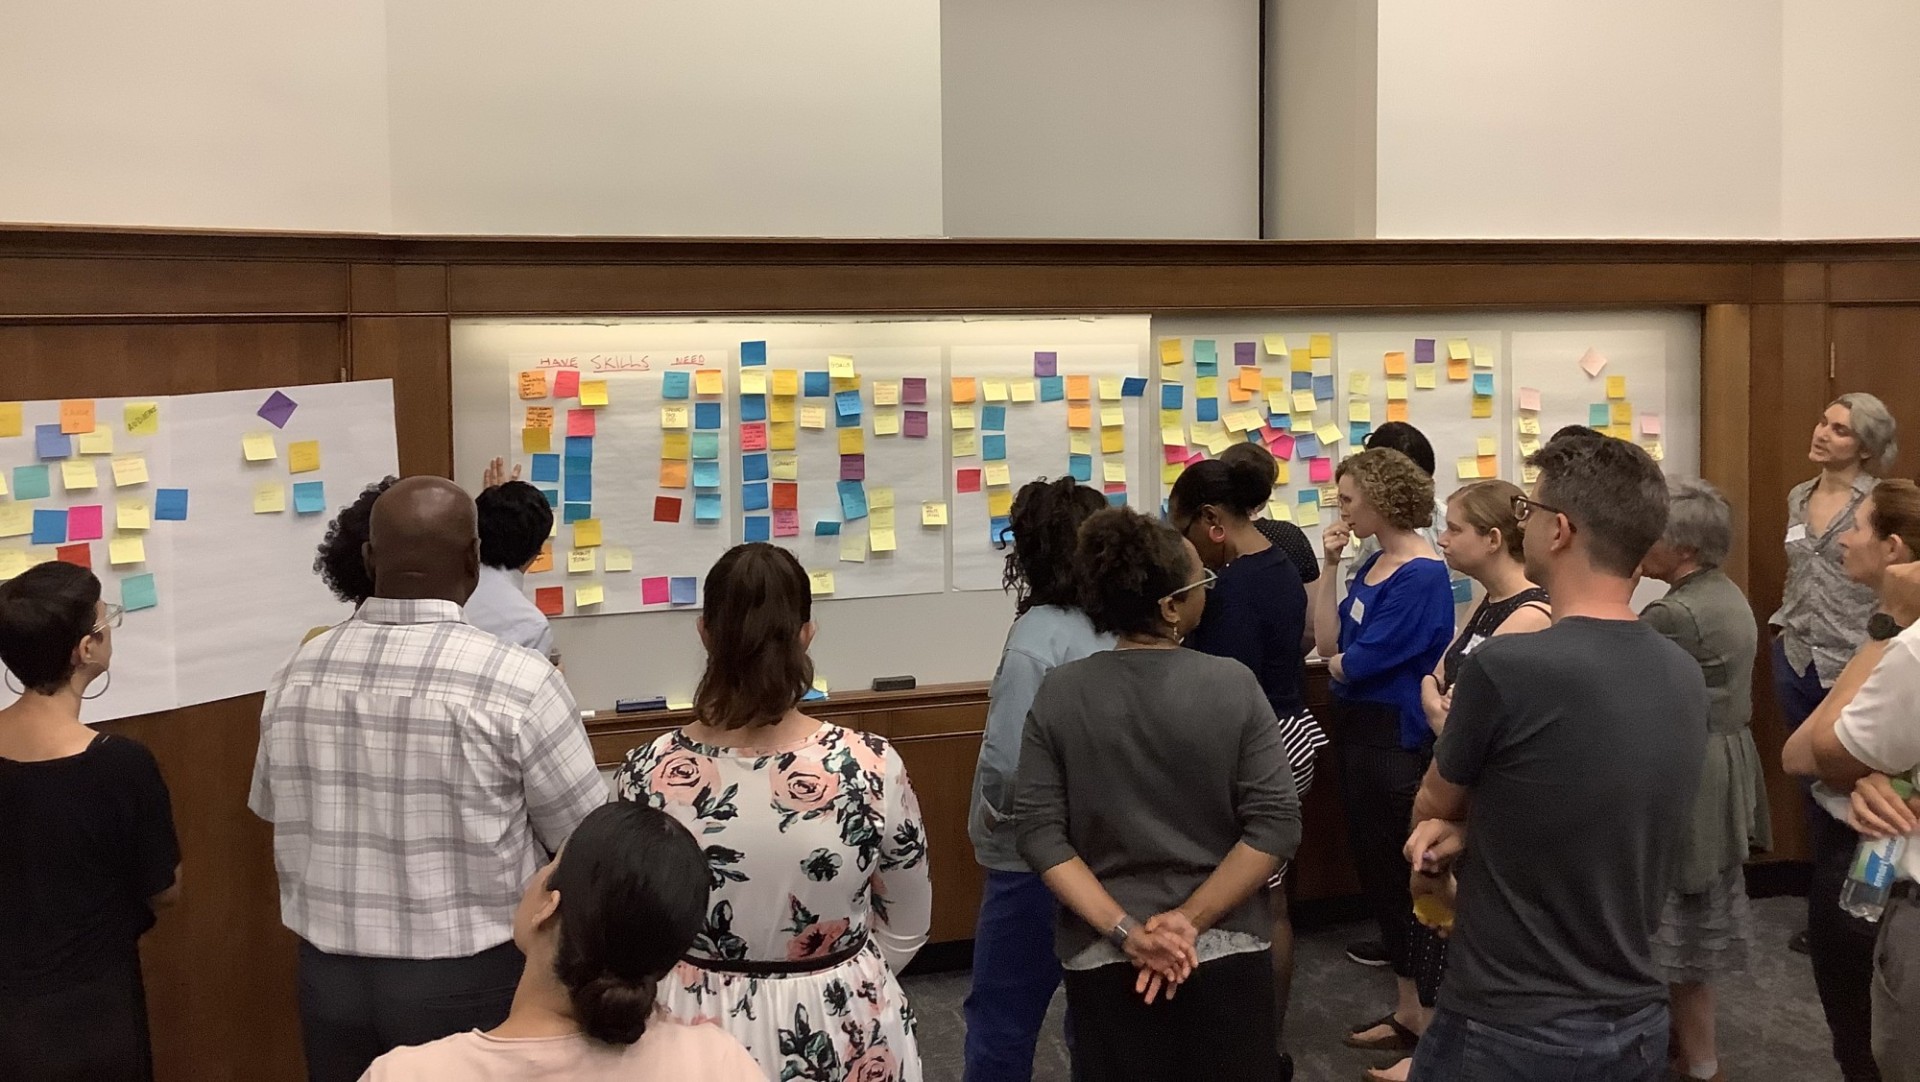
414,352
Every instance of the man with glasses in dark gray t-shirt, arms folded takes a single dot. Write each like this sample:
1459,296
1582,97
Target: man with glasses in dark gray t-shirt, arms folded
1564,782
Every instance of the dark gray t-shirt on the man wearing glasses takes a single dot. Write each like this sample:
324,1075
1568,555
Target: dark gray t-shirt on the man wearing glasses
1581,747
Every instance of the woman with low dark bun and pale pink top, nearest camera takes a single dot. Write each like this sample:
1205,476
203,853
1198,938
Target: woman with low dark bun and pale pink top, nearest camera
600,928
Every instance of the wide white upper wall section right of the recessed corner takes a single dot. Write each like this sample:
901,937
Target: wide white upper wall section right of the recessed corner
1577,118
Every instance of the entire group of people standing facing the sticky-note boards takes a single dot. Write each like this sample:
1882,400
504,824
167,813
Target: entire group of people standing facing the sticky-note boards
1550,849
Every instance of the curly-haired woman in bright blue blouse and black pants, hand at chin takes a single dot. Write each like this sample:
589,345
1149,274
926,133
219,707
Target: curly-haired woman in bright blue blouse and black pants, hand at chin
1380,644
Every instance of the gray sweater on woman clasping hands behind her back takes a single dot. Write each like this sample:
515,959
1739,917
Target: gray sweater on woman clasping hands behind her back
1151,766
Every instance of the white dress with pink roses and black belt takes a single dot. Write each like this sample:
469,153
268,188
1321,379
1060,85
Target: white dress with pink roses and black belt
811,847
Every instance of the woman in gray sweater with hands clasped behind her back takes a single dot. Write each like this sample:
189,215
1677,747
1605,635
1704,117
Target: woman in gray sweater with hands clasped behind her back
1155,801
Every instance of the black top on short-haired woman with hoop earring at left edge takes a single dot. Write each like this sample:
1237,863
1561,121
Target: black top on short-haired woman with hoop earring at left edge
85,841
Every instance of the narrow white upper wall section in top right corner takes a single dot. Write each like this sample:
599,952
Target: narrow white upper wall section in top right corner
1852,128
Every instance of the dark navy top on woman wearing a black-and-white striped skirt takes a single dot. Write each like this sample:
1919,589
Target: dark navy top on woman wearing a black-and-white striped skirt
1259,617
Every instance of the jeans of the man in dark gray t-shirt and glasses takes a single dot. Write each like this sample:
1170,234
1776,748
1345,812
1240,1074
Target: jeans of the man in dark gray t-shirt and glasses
1581,1048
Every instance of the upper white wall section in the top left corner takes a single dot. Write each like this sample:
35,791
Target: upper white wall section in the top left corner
241,114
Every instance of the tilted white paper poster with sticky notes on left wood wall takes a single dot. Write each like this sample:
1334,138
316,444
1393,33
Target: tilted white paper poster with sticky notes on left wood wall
203,517
